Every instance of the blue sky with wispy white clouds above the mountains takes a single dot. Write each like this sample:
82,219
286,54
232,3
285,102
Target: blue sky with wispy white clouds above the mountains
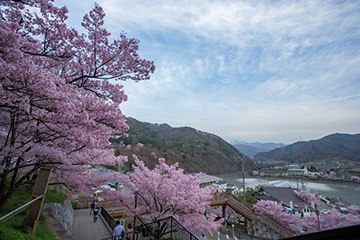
268,71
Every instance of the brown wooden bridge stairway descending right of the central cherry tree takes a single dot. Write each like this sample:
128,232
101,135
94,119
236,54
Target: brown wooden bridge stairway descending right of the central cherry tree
257,225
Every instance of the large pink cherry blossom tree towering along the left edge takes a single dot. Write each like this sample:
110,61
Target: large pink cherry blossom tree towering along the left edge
58,106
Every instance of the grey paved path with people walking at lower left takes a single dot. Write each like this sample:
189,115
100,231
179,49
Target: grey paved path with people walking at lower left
84,228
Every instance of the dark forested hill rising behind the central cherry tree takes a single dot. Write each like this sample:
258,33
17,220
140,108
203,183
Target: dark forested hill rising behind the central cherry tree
194,150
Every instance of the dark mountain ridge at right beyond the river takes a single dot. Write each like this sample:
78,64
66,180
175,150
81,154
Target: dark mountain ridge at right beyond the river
332,147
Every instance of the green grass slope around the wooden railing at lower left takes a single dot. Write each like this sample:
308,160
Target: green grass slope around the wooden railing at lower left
14,229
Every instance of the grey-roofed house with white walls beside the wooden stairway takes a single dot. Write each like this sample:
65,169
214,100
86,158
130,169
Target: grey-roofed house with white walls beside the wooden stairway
286,196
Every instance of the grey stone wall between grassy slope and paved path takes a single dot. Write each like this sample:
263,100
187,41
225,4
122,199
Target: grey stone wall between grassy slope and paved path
64,214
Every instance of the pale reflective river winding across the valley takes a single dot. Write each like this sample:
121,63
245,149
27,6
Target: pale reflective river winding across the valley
346,192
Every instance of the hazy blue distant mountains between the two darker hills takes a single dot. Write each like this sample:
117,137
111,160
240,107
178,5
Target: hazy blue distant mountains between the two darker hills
251,149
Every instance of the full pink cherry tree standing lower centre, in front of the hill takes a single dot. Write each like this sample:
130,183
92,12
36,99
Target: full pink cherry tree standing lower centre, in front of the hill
166,191
